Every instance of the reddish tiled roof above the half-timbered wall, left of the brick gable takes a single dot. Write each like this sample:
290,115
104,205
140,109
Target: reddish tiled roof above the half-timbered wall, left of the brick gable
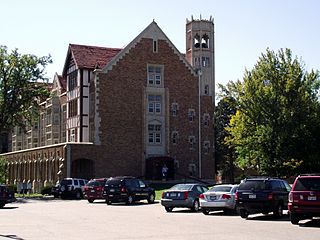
89,57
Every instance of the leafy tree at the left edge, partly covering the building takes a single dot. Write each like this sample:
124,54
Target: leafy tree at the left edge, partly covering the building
22,86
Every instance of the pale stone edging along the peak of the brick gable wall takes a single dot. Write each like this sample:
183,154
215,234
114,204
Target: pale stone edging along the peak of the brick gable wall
152,31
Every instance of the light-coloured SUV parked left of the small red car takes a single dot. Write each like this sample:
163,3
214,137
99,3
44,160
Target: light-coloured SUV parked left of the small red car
69,187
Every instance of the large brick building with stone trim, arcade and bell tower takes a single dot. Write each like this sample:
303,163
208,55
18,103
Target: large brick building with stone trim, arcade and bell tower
126,112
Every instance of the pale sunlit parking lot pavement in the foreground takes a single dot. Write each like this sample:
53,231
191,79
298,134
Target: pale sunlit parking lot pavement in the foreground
72,219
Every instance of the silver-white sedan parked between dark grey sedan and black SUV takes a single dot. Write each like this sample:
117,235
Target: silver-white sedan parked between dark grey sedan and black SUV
219,197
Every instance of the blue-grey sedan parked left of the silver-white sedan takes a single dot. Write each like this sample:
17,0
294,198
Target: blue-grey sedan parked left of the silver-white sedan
183,195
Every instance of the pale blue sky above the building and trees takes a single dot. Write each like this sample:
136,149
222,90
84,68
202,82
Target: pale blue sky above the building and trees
243,28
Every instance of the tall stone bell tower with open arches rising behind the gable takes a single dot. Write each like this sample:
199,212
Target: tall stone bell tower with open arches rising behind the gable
200,52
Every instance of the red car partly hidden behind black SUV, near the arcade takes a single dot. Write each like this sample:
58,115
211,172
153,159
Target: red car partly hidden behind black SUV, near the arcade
94,188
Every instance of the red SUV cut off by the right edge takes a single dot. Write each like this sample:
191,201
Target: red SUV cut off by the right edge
304,198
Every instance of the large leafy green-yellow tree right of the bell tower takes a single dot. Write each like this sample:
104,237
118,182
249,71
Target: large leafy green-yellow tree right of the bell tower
276,127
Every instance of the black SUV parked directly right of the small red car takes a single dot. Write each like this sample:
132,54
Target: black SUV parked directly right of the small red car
127,189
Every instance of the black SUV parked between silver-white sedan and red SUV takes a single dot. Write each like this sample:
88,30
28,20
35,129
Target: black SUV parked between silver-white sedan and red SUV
262,195
